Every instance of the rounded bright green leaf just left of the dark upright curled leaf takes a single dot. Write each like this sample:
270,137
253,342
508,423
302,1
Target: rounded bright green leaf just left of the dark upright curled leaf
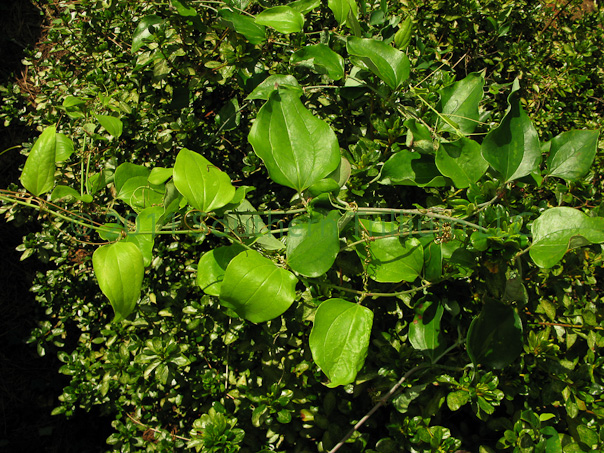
461,161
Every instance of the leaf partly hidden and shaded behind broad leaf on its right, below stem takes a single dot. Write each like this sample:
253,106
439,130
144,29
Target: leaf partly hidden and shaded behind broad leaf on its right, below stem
212,267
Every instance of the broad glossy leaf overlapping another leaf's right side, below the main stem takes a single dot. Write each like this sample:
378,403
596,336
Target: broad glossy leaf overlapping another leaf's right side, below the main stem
256,289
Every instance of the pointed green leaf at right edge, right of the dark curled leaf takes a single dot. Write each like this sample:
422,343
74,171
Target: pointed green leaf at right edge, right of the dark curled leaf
571,154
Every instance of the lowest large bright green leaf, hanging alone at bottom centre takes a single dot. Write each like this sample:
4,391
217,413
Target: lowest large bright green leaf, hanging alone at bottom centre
339,339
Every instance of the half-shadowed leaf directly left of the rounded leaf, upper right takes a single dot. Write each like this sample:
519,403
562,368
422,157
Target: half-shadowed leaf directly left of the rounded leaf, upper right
408,168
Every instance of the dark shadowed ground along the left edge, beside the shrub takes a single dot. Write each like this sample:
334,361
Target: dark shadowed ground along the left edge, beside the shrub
29,384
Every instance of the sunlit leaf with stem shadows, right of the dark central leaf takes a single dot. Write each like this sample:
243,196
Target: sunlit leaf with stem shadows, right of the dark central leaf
391,259
